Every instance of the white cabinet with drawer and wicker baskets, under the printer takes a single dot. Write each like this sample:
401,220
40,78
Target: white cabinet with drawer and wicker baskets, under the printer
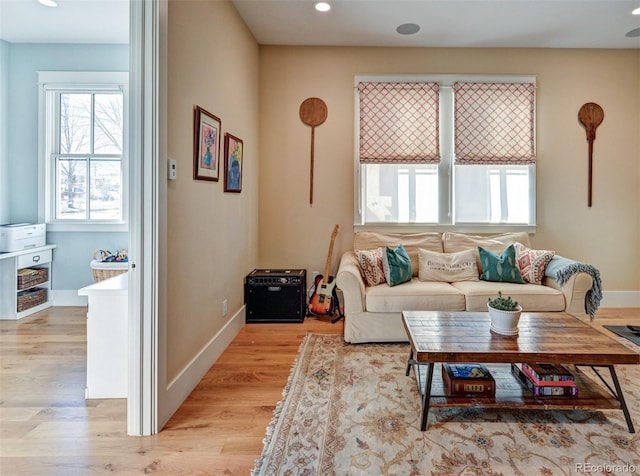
22,295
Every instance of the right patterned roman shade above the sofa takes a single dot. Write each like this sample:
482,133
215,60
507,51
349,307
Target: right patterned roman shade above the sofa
494,123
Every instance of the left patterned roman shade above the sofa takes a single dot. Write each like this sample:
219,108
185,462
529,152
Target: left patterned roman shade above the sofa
399,122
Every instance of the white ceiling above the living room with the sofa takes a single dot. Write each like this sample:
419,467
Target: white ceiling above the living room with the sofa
445,23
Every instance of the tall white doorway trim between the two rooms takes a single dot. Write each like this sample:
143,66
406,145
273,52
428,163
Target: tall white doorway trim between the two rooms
147,206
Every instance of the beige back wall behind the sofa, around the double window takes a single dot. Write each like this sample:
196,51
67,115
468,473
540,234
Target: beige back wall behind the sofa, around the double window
294,234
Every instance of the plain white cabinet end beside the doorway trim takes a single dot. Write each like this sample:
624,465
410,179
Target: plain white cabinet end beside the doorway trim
107,337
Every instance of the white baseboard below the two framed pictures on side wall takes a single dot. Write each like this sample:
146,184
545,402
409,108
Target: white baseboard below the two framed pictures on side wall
181,386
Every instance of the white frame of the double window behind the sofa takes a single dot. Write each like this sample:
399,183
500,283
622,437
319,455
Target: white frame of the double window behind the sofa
445,167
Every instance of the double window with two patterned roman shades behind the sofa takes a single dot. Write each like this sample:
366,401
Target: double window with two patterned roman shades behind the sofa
416,136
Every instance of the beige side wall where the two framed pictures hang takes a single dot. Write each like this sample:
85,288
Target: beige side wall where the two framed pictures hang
212,238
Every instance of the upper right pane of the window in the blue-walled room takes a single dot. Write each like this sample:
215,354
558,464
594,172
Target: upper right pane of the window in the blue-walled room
108,124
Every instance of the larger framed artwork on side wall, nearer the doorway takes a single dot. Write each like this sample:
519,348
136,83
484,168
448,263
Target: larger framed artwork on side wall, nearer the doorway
206,145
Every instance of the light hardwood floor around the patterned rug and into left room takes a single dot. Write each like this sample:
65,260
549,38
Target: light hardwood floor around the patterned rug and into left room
48,428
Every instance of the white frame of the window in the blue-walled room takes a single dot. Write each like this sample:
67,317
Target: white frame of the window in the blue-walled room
74,81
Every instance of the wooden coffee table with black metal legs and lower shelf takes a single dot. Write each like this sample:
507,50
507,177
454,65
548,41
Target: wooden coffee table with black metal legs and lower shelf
554,338
